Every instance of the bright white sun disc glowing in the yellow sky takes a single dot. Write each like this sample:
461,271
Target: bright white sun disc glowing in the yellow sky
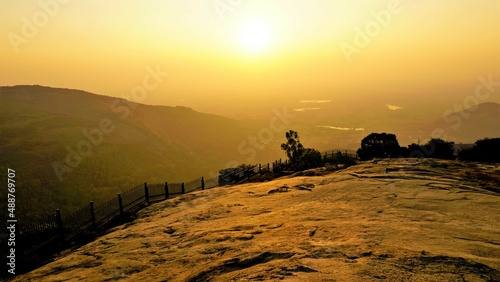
255,36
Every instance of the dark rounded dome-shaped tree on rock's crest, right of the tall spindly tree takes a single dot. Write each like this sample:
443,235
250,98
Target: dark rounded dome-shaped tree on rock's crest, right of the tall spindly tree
378,145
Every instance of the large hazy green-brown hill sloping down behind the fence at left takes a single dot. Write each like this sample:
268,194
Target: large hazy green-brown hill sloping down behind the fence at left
69,146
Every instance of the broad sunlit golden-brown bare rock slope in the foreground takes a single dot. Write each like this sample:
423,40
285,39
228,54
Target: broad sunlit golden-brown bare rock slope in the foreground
393,220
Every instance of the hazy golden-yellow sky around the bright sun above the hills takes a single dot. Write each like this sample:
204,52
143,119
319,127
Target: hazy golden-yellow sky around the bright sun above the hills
220,51
